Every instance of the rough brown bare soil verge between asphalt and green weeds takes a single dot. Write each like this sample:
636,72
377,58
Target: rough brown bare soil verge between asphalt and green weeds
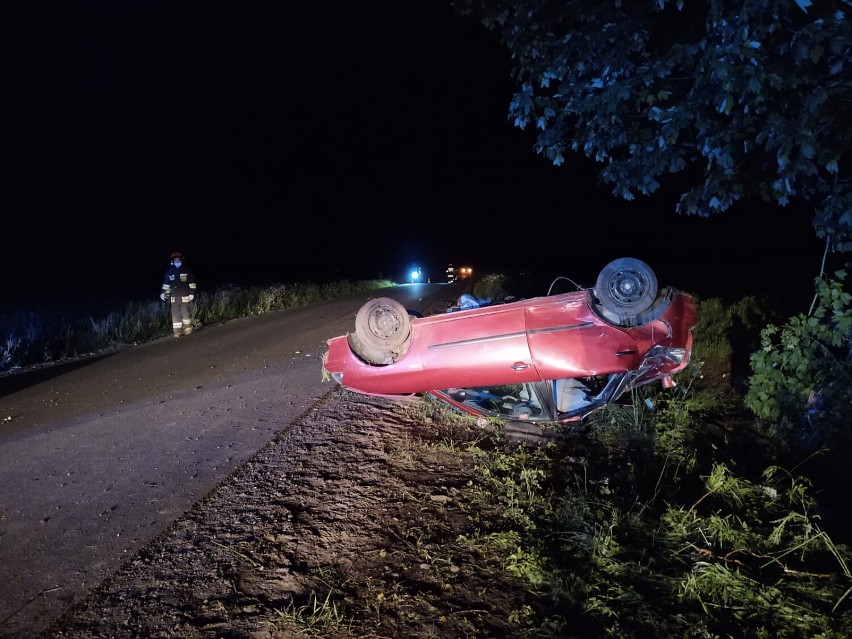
342,526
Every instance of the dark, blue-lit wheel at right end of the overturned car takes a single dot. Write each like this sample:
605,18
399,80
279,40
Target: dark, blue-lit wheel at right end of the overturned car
627,287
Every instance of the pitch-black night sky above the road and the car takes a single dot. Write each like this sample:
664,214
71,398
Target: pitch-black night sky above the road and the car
284,142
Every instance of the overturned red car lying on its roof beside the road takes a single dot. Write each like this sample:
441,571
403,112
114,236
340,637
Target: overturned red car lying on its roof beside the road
555,358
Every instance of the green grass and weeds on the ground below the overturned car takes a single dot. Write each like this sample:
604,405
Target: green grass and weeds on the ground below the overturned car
648,523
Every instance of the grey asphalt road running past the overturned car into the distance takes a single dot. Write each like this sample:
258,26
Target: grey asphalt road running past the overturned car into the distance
99,456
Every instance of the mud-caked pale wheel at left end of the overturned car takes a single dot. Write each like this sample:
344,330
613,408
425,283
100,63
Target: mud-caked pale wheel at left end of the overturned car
382,330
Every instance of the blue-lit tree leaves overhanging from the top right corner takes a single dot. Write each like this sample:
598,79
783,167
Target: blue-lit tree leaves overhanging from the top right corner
753,94
